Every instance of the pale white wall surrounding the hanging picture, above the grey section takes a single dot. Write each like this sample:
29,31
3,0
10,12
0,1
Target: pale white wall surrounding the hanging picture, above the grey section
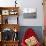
32,4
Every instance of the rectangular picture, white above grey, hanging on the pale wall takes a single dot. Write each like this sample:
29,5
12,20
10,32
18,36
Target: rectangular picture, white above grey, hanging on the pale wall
29,13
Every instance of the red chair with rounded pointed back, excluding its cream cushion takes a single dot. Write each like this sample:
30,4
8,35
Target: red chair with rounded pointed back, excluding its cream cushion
29,33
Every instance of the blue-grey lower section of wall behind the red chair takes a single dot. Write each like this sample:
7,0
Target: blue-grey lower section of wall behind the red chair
37,29
